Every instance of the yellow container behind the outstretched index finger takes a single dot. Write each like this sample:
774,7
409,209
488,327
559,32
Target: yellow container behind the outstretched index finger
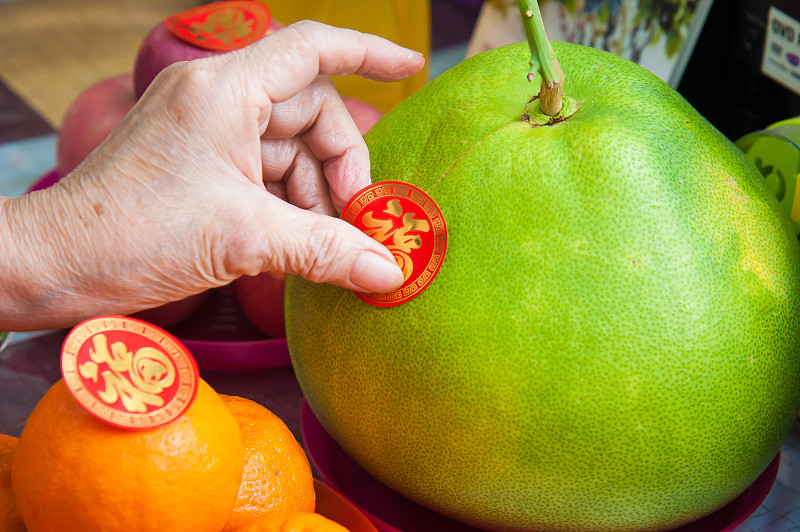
405,22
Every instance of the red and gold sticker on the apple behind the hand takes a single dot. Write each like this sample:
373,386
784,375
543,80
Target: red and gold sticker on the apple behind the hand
222,26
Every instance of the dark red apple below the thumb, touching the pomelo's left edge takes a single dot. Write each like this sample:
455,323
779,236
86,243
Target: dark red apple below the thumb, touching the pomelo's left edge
261,299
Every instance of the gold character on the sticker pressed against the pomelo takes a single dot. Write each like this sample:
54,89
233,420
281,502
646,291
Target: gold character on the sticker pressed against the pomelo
404,239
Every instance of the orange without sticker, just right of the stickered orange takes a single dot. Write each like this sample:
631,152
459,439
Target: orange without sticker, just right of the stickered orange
277,479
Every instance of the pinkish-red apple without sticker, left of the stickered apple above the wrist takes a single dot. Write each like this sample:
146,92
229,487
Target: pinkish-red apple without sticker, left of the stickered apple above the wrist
90,118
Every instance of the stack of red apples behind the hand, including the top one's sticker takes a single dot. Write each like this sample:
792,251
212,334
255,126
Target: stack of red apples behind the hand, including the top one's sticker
101,107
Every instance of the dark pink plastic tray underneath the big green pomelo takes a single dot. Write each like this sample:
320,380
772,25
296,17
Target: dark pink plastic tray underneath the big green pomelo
391,512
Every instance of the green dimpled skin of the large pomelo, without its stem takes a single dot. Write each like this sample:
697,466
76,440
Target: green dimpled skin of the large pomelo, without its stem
612,342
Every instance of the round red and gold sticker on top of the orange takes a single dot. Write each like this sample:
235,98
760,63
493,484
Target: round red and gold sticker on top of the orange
128,373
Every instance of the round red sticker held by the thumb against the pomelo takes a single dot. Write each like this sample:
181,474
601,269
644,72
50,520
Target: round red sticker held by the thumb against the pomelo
410,224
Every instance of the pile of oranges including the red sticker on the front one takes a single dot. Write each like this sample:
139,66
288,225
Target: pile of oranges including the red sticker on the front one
224,464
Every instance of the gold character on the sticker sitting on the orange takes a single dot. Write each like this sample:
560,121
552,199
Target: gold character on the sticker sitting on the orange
135,379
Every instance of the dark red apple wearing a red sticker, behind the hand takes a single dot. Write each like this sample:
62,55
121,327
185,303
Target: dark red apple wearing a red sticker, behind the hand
160,49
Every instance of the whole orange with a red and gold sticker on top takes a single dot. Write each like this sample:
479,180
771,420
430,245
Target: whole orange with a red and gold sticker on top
73,472
